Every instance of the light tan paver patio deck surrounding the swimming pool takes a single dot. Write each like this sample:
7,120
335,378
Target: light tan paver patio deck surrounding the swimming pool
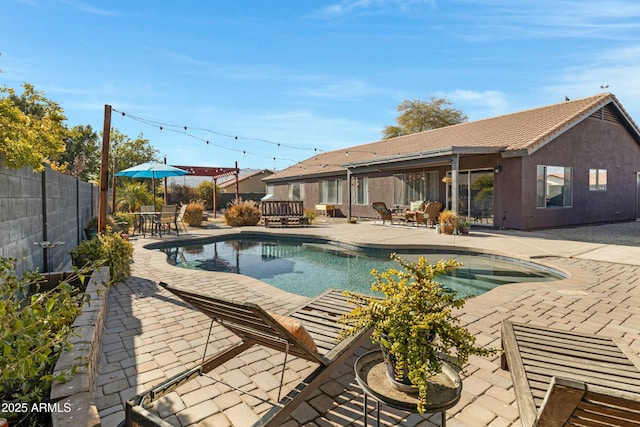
150,335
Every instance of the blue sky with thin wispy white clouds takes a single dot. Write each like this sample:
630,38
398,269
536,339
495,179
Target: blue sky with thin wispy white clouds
289,78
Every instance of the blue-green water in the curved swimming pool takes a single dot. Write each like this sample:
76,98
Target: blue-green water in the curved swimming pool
310,268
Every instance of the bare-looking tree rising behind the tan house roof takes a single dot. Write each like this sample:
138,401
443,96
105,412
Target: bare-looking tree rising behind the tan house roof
419,116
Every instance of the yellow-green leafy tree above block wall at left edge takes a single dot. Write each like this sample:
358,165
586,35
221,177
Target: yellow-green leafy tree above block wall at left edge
31,128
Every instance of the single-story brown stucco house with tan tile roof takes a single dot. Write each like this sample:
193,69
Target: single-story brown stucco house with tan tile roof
575,162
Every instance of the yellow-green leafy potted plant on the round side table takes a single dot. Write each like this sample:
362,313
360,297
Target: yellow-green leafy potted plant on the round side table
415,322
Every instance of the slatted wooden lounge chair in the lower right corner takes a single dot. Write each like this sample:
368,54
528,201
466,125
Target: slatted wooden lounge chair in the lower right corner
568,378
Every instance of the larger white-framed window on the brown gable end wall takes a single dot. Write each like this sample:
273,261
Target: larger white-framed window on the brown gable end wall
554,187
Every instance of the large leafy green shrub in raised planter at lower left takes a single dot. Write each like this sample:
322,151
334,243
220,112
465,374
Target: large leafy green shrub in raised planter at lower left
36,327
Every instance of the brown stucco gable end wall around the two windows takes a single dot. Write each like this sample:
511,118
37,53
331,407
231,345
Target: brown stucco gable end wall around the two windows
593,143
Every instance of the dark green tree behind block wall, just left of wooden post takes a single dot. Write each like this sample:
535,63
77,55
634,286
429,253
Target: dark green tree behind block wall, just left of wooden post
81,156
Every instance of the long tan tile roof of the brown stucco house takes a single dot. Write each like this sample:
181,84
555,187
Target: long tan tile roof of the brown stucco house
514,134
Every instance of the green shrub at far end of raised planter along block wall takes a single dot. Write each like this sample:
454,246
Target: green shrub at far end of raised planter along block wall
107,248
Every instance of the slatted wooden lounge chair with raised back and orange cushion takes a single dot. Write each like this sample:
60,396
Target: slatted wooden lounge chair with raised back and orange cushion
256,326
